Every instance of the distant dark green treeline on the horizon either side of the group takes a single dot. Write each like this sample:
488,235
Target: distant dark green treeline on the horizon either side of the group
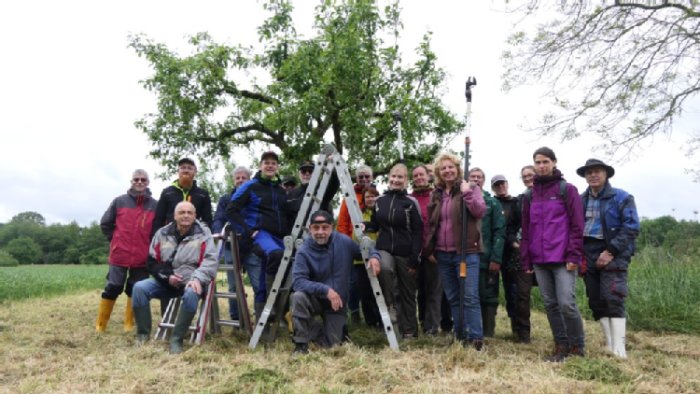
26,239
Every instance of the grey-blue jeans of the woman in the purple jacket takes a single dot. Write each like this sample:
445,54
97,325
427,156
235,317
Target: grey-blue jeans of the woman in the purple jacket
558,289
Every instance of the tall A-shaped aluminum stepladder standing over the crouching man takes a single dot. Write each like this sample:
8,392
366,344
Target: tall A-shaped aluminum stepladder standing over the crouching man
328,161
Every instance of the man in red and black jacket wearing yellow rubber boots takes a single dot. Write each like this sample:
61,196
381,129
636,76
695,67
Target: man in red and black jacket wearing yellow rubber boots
127,225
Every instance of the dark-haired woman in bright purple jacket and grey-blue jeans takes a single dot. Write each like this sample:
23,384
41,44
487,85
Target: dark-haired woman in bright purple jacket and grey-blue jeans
552,243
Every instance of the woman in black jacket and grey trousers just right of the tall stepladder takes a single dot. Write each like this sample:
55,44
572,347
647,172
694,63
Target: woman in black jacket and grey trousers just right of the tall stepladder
396,217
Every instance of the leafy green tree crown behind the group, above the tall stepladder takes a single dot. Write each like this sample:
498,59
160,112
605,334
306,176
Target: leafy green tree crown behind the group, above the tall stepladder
345,80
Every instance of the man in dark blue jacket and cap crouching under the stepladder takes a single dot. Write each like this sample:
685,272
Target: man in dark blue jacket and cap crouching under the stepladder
321,282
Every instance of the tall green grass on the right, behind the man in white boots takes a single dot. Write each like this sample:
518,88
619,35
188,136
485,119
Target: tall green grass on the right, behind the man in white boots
663,293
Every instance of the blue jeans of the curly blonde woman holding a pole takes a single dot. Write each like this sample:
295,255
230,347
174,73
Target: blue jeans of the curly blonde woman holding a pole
448,264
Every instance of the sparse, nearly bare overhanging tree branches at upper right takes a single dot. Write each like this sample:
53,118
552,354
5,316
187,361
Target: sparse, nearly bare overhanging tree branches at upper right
623,70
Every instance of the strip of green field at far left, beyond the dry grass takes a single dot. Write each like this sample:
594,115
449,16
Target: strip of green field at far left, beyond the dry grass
28,281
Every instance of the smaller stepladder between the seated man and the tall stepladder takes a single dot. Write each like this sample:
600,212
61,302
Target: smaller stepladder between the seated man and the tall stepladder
243,322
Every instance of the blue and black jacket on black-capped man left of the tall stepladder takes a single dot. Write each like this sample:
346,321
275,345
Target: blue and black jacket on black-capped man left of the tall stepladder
259,204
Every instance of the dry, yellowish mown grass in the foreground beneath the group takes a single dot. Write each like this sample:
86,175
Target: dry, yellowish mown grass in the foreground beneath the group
50,346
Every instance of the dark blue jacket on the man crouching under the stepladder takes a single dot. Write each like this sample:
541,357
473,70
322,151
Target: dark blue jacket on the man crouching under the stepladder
320,267
